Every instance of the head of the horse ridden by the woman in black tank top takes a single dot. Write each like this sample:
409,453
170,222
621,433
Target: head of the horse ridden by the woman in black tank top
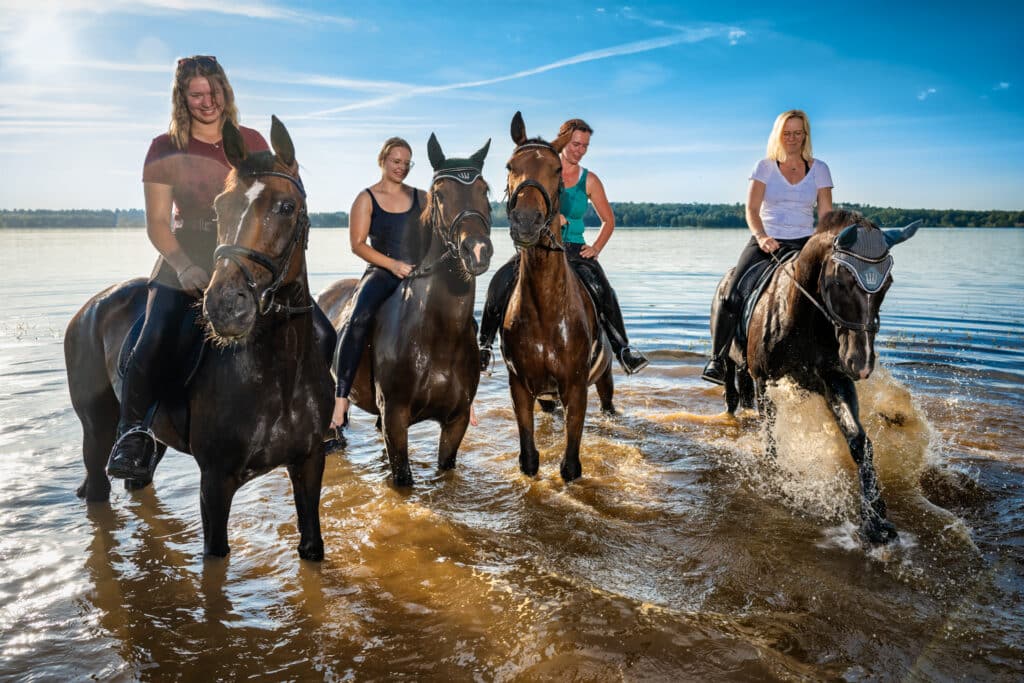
459,211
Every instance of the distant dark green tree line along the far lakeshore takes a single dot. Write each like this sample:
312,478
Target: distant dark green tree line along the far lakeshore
628,215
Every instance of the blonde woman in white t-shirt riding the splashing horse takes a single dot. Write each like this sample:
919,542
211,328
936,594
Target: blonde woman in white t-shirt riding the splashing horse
781,201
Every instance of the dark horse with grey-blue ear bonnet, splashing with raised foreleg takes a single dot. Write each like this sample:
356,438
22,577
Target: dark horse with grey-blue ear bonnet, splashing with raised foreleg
816,324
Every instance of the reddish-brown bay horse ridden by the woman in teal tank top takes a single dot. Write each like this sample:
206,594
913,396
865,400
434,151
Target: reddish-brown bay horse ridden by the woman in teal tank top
552,341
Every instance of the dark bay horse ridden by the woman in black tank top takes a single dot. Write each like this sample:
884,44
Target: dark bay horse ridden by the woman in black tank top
422,362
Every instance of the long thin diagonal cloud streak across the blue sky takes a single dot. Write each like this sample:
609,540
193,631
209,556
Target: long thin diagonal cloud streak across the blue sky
681,37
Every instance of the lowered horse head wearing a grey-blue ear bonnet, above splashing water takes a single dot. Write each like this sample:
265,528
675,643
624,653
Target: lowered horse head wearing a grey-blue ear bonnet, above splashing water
857,273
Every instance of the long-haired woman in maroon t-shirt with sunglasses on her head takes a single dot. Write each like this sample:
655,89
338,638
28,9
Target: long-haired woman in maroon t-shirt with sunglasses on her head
185,170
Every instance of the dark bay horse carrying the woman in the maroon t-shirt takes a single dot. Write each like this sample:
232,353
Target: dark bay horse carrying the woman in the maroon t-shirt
262,396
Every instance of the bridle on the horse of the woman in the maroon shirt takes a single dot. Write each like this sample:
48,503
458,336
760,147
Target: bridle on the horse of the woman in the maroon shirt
266,301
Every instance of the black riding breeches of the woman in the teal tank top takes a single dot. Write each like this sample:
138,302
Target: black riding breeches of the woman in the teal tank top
590,273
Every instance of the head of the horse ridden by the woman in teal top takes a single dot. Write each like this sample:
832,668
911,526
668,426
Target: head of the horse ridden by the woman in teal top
535,183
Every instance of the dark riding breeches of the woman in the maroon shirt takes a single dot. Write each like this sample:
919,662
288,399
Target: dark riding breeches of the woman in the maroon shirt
165,312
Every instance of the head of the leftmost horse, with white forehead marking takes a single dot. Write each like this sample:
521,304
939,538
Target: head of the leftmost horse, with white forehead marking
262,224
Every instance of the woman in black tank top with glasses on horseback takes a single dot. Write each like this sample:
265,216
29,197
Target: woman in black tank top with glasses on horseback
381,215
